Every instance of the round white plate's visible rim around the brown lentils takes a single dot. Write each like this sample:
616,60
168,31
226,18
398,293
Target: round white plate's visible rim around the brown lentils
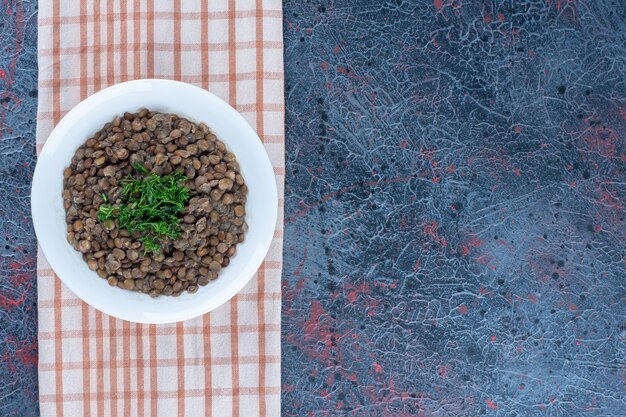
185,100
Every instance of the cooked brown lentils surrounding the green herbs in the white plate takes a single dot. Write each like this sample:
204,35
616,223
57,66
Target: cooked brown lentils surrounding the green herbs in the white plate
212,224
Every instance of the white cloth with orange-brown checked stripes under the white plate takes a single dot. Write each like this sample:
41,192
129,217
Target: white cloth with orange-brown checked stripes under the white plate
226,362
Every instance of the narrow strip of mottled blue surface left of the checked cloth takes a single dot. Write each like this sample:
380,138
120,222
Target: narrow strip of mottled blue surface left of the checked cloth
18,250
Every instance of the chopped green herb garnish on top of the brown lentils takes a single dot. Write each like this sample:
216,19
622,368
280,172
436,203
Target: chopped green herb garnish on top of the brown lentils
150,207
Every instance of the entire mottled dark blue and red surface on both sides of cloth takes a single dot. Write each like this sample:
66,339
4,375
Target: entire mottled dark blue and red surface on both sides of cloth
455,235
